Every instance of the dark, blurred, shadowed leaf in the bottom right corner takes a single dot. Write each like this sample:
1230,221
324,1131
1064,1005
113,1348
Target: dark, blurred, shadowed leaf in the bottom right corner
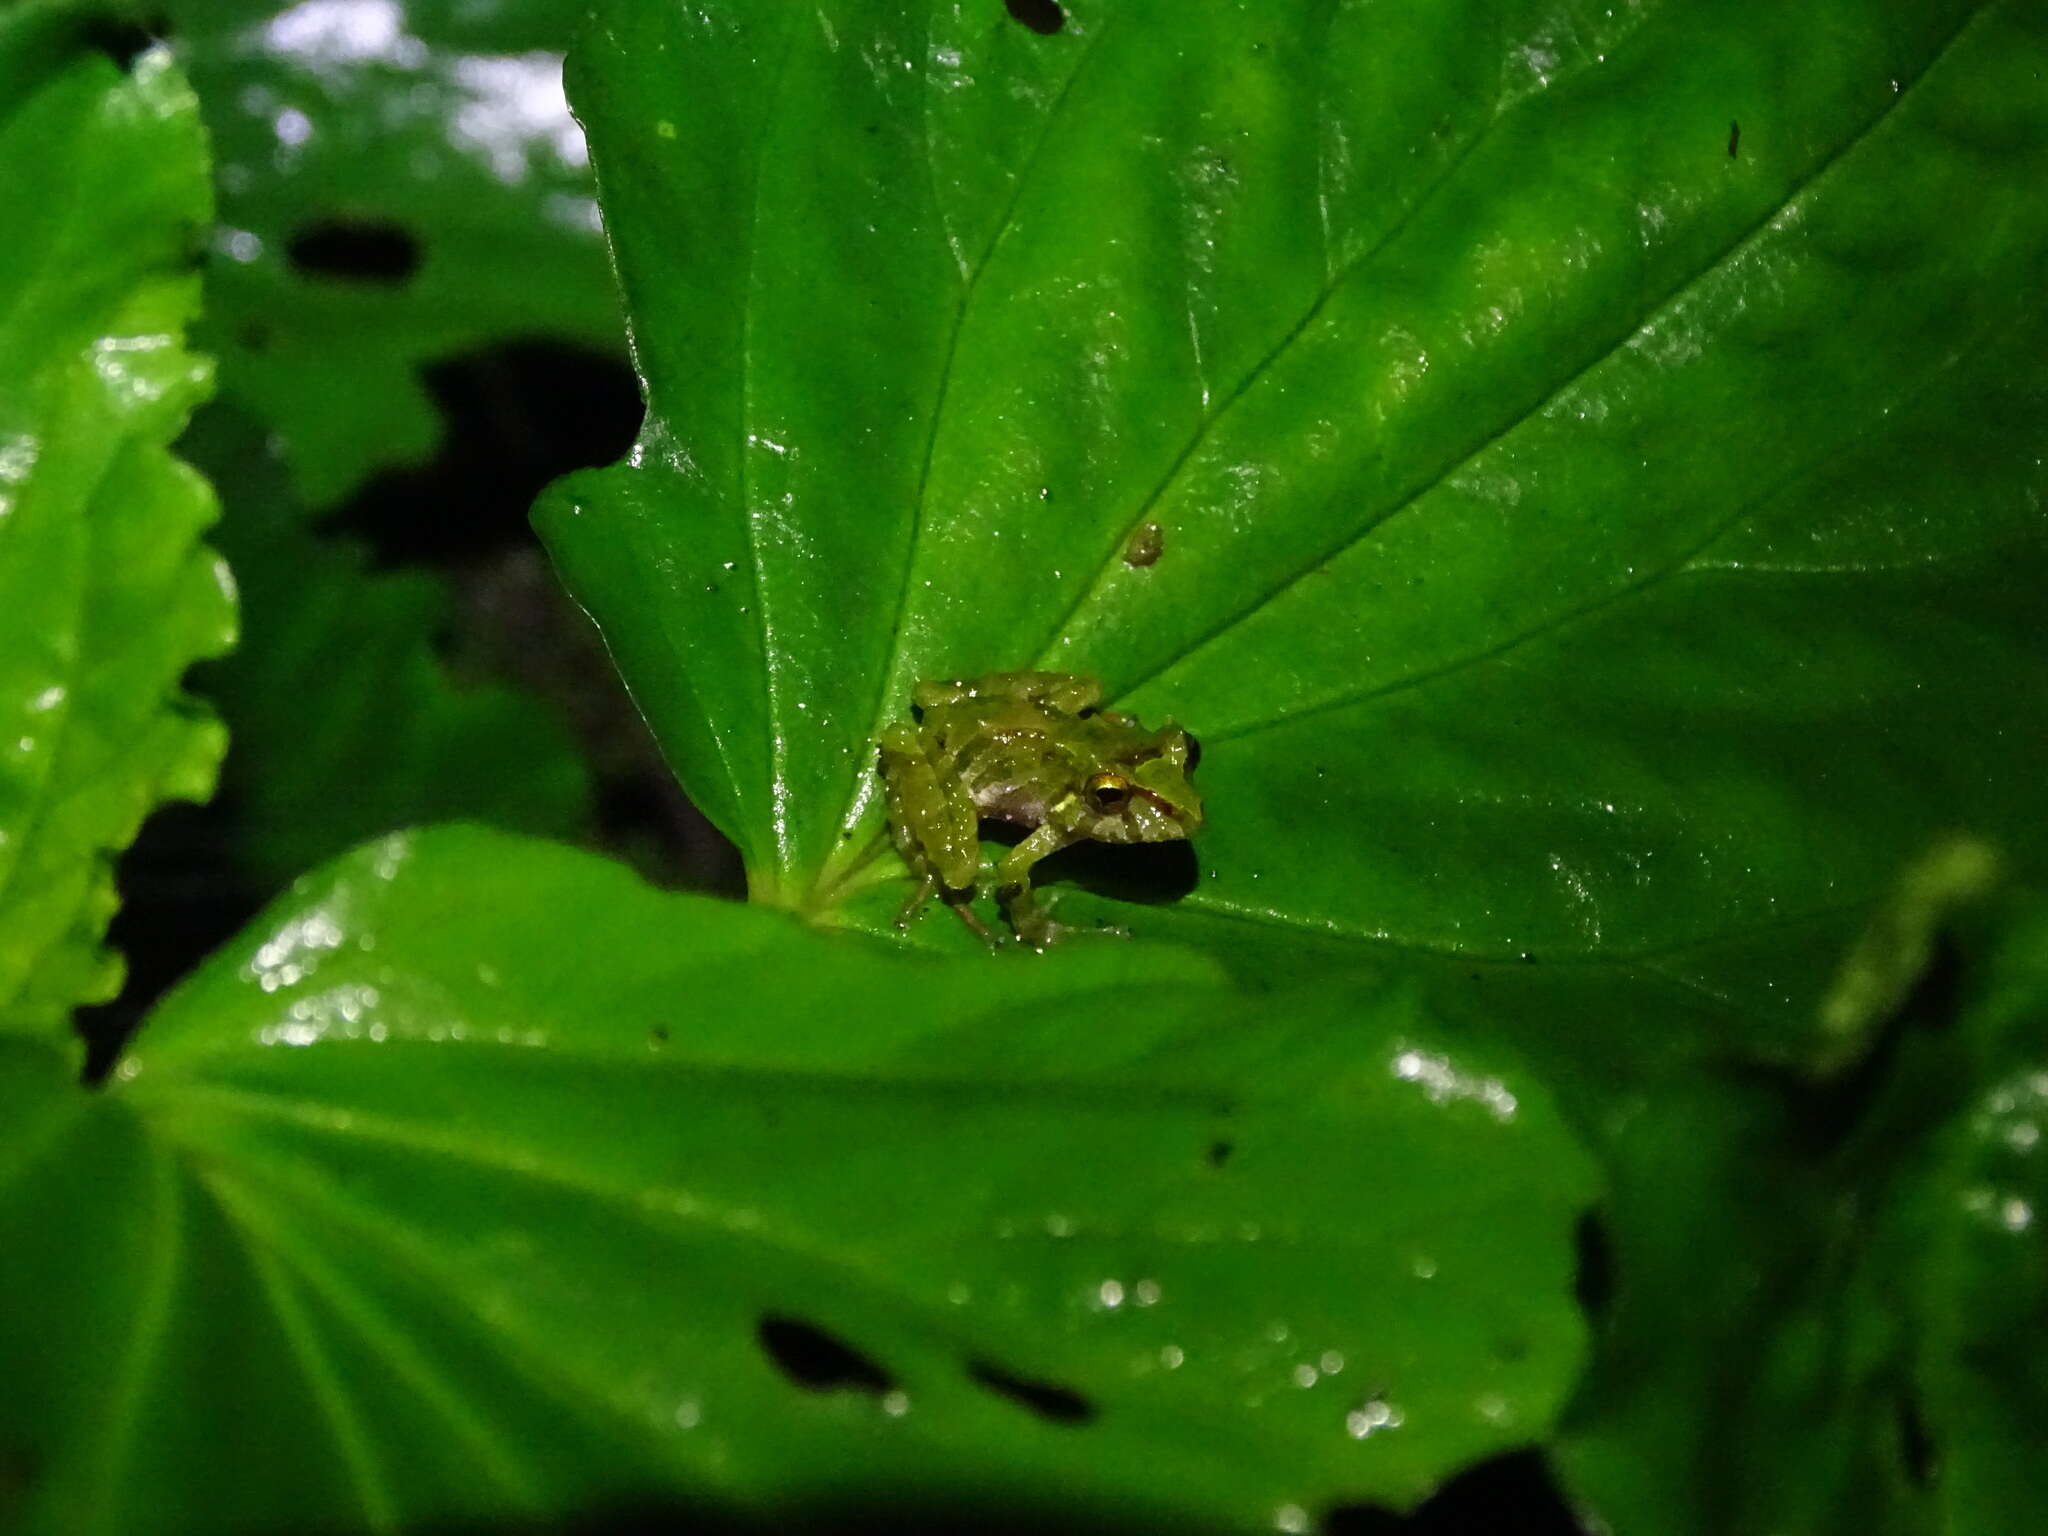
1832,1302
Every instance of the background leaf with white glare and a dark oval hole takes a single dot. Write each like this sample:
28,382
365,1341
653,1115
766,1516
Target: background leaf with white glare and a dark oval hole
431,134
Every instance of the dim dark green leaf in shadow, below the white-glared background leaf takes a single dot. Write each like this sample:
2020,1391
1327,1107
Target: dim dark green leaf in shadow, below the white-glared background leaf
345,720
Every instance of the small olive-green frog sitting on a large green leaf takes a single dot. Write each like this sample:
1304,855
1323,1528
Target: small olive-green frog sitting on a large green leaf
1035,751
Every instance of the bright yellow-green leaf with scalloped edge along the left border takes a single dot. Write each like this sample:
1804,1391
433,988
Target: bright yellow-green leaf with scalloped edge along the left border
105,591
